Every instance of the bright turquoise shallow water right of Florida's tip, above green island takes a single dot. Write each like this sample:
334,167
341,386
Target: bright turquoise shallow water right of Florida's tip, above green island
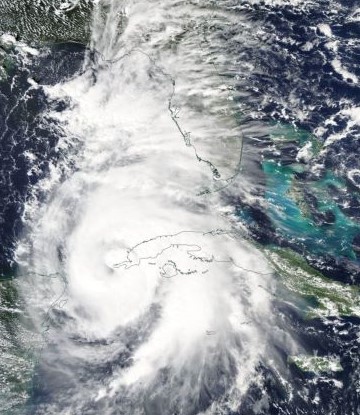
335,238
